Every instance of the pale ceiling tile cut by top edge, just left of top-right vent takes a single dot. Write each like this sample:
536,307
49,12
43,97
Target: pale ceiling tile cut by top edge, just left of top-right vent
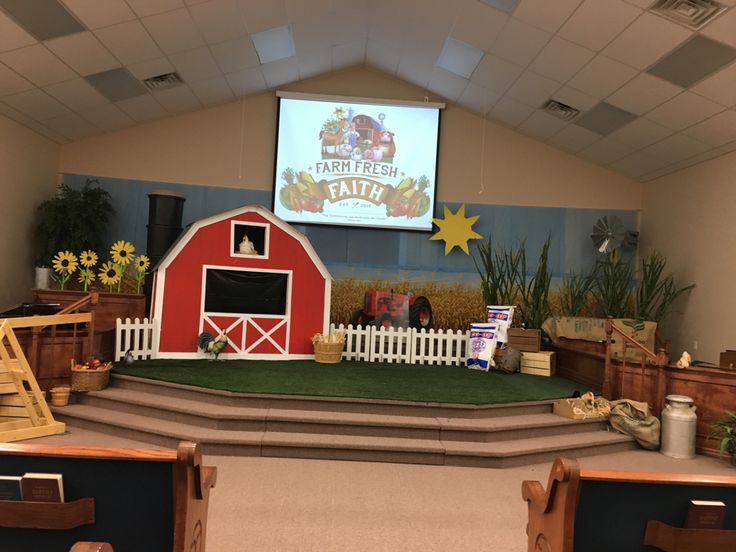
597,22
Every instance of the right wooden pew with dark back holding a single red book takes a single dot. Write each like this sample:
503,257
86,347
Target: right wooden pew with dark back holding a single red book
597,511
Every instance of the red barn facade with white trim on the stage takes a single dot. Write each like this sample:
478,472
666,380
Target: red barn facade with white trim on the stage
270,295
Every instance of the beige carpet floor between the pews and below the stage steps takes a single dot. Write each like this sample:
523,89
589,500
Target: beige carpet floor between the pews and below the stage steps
284,505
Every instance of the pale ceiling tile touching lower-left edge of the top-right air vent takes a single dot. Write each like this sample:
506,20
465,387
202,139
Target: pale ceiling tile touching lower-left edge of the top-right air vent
635,46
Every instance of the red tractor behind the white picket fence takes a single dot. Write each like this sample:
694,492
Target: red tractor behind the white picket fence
386,308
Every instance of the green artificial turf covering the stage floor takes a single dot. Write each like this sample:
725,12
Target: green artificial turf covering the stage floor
375,380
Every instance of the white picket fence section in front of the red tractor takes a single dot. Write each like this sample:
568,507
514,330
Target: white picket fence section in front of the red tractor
379,344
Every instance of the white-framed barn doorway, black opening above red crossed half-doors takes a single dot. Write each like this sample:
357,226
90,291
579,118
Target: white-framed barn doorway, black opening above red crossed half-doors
251,306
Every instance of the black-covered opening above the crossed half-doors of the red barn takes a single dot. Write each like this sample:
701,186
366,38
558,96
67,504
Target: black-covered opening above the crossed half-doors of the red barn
245,292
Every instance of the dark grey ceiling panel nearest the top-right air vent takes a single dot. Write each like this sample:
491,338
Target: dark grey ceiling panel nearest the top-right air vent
693,61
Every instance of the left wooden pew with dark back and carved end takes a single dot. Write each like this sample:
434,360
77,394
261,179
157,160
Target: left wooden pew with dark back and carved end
136,500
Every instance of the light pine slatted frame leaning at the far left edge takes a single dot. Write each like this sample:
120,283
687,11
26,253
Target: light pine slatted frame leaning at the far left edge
24,413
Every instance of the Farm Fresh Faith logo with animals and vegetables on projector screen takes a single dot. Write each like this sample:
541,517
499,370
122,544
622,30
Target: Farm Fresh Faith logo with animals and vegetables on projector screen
355,170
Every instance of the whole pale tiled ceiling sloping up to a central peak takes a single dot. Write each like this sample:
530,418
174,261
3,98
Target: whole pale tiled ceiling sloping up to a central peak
579,52
